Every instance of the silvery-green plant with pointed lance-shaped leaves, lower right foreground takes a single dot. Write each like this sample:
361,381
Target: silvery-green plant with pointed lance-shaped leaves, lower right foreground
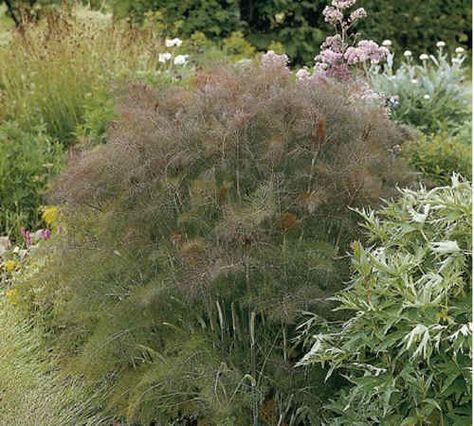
406,349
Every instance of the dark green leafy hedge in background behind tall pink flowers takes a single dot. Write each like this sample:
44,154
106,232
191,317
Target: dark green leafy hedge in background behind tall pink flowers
300,25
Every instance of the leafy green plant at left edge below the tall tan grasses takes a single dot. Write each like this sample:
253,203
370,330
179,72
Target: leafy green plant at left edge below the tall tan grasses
27,162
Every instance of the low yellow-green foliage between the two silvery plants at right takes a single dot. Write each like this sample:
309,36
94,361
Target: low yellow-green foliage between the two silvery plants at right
437,157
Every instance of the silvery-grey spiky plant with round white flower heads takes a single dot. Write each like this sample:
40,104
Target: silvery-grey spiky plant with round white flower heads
430,92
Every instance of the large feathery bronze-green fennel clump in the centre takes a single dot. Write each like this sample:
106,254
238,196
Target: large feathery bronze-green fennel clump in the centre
196,235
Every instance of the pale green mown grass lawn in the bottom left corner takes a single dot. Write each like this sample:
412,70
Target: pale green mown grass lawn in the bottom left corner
33,393
